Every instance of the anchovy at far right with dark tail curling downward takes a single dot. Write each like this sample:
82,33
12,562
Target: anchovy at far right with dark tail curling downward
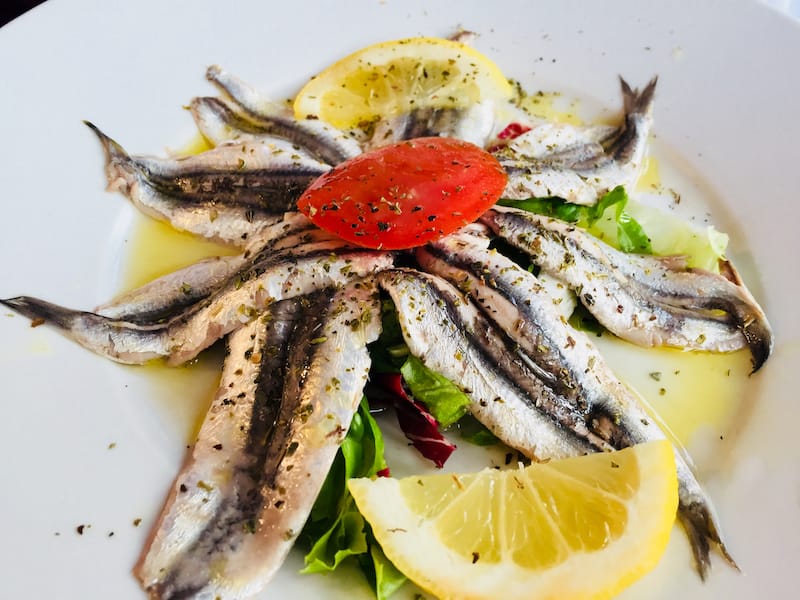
647,300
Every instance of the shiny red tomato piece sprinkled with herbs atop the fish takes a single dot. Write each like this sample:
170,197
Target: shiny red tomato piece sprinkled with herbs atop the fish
405,194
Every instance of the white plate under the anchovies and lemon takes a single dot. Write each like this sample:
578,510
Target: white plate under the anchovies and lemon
726,112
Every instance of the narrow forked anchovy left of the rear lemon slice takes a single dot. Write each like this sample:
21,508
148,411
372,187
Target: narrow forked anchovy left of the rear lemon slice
254,113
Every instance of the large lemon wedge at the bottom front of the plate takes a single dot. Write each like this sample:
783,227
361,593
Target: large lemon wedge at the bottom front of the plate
577,528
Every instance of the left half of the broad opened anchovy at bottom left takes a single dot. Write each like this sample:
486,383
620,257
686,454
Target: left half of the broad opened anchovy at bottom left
217,497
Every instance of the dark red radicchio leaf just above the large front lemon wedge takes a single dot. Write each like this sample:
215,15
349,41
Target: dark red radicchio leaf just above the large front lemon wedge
417,424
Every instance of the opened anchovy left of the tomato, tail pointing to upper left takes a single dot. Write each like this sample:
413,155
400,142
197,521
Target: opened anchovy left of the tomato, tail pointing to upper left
228,194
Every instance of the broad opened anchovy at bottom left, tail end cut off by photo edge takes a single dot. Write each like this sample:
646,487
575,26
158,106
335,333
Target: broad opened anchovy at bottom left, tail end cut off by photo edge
291,383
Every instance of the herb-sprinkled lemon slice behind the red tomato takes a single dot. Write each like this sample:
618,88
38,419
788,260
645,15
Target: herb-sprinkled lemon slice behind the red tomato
394,77
